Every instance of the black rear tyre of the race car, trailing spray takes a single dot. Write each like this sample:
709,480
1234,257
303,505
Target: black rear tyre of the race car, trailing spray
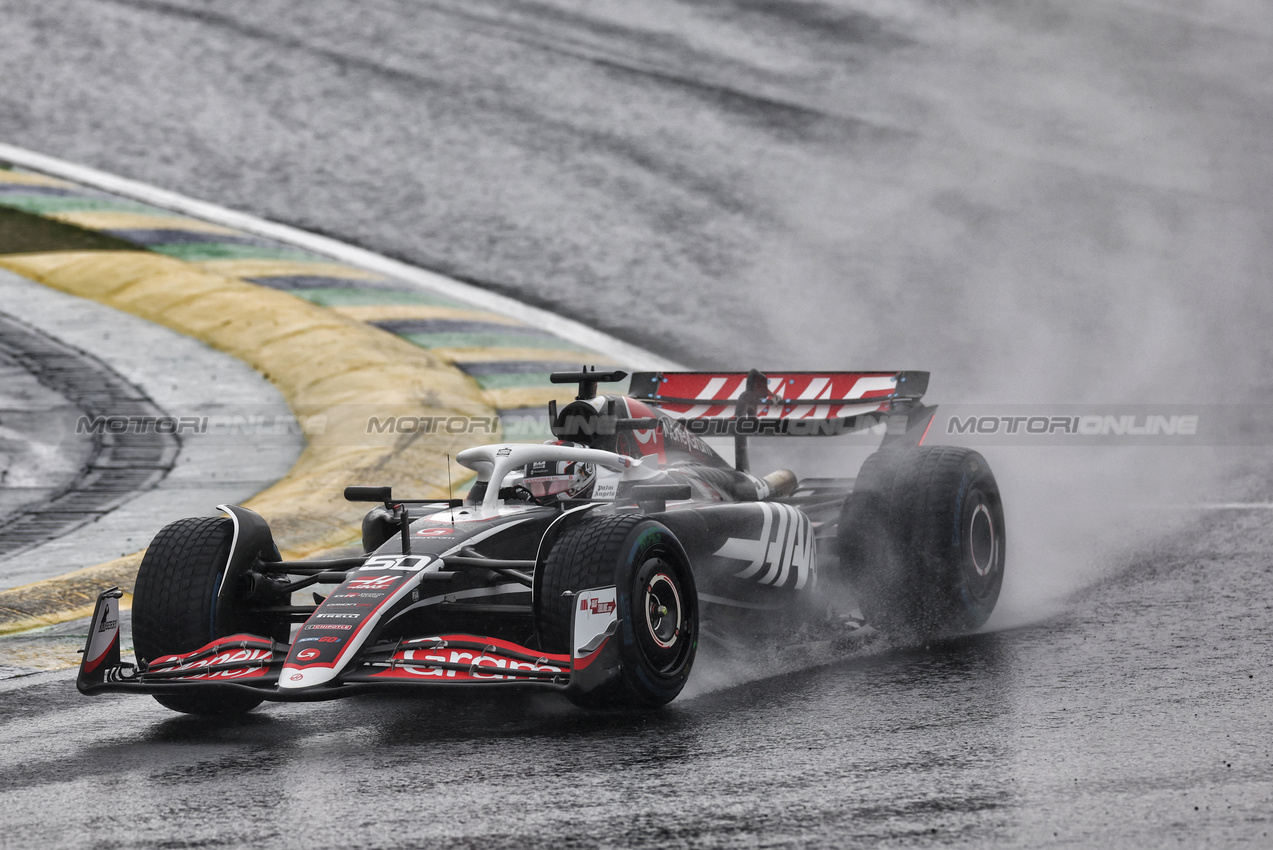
922,541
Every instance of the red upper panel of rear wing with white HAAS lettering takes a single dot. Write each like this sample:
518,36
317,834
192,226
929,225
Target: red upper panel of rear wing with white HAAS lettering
795,395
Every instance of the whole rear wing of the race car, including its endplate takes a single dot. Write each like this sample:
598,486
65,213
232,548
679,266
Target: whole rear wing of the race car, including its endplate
789,403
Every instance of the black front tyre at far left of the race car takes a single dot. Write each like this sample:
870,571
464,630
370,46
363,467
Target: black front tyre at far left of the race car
175,606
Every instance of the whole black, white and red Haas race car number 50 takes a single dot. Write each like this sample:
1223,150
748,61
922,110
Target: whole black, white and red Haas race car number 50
590,566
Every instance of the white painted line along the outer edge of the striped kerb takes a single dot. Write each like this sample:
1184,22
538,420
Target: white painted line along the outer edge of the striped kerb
432,282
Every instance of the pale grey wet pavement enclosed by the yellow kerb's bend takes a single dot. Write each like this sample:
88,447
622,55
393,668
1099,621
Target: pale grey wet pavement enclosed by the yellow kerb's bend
209,469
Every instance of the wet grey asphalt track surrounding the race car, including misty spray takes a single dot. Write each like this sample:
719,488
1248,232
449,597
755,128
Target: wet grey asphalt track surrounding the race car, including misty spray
1044,203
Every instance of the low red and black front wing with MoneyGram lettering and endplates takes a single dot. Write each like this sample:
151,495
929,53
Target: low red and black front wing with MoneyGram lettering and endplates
254,664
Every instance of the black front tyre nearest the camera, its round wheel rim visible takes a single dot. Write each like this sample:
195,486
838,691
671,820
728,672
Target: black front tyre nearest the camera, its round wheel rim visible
656,601
